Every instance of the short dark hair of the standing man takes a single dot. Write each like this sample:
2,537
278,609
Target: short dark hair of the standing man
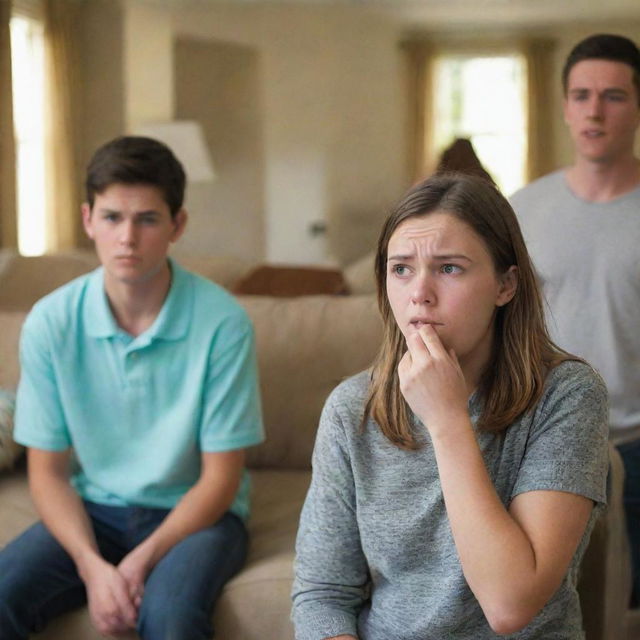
604,46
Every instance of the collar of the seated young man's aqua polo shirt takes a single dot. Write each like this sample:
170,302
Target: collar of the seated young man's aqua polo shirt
172,322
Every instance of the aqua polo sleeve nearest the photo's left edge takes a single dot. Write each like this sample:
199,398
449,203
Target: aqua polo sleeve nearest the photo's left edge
39,417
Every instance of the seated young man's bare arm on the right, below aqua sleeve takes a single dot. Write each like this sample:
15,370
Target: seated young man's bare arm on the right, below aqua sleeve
204,504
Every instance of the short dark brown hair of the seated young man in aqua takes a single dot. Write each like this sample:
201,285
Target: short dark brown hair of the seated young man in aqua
137,160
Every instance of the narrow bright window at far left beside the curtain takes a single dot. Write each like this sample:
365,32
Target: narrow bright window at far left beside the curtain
27,65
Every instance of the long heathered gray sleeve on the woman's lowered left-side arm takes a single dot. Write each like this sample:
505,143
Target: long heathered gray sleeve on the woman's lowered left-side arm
331,575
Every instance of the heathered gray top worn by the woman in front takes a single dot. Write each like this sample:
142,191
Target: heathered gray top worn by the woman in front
375,553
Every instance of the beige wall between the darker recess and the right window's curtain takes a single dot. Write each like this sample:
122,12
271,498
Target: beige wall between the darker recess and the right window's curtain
334,120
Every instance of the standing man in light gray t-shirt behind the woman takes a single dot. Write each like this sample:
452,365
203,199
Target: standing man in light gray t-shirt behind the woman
582,227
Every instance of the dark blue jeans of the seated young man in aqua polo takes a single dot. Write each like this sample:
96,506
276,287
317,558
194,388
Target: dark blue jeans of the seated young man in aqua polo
38,579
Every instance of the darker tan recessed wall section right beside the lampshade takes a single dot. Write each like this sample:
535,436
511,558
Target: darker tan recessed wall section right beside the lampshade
218,85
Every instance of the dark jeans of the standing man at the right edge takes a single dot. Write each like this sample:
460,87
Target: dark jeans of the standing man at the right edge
630,453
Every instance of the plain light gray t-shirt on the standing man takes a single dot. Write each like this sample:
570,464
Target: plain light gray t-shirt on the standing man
587,255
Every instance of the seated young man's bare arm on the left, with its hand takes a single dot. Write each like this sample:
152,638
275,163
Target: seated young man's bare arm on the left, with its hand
63,513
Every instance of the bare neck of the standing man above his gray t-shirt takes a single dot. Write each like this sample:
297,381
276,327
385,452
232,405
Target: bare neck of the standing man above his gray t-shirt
603,181
